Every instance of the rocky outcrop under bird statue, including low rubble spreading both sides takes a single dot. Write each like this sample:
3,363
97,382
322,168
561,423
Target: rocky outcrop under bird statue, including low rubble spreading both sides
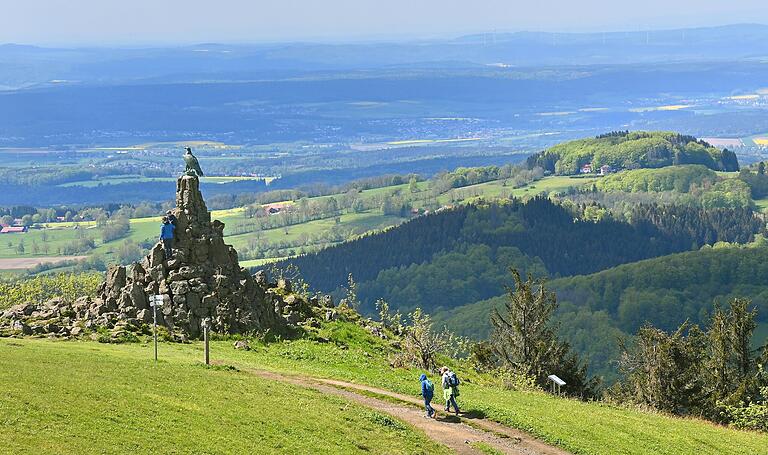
202,280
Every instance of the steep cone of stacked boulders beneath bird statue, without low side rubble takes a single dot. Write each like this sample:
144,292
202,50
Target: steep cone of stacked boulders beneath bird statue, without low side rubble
202,280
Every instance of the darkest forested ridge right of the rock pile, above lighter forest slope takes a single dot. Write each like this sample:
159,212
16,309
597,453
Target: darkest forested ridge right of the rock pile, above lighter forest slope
458,256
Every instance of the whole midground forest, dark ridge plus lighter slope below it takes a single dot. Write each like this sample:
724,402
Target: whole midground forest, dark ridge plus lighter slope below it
450,263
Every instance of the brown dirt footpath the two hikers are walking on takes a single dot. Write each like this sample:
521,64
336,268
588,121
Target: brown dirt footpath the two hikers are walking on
457,433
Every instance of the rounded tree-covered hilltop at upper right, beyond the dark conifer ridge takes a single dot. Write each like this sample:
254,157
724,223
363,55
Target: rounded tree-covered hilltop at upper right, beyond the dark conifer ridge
632,150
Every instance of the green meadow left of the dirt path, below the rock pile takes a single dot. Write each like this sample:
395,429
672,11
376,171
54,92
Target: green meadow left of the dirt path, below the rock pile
114,399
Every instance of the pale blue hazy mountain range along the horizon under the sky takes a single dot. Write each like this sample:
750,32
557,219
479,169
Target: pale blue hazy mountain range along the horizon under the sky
27,66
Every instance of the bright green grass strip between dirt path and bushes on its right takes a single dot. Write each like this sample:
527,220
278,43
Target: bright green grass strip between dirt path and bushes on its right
584,428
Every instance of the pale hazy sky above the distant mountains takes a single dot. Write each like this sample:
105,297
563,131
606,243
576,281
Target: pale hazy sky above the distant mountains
63,22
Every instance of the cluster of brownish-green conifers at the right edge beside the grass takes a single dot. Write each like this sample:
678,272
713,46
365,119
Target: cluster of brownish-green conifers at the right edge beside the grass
710,373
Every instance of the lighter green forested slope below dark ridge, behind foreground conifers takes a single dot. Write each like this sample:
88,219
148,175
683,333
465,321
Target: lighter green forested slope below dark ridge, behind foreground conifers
598,309
